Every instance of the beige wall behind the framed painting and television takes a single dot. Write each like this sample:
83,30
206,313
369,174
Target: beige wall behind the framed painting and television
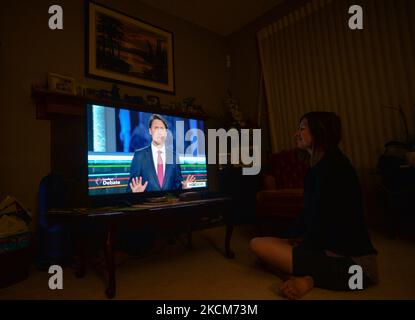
29,50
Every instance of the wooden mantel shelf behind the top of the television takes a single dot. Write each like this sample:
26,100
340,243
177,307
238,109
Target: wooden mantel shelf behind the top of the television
51,105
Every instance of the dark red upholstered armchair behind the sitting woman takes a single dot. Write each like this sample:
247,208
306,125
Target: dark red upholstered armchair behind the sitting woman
281,196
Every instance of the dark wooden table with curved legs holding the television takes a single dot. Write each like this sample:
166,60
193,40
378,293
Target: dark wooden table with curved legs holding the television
189,213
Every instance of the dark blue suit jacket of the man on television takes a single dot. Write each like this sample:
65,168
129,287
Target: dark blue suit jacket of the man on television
142,166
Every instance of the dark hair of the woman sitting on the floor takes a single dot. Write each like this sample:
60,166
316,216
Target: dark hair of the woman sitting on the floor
325,128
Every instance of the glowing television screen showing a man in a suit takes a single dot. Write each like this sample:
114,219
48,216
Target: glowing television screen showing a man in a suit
131,151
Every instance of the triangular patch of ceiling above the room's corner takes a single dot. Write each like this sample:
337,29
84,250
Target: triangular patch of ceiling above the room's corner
220,16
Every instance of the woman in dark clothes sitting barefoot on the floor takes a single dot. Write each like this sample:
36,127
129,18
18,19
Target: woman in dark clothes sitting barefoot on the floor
329,235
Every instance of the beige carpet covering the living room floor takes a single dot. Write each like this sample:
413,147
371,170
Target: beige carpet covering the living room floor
203,273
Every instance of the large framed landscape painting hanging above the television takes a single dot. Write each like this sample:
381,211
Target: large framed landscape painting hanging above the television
127,50
